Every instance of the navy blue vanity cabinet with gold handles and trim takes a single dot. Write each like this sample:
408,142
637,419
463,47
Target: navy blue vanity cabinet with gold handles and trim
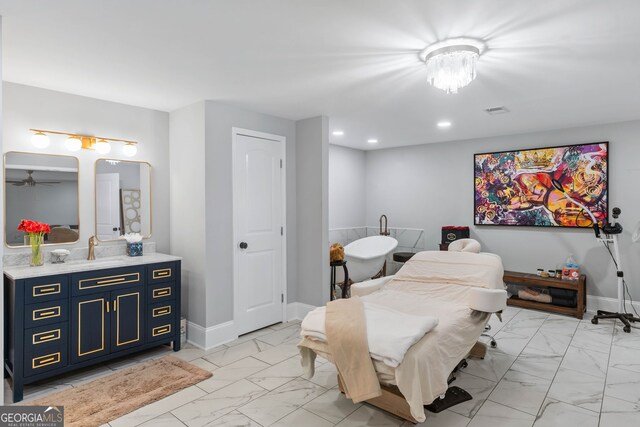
58,323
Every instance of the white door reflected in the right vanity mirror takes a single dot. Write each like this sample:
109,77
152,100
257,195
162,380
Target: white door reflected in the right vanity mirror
107,206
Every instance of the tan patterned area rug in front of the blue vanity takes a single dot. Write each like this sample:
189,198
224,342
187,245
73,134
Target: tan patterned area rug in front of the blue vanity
105,399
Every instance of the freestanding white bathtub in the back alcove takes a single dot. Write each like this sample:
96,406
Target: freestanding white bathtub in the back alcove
365,257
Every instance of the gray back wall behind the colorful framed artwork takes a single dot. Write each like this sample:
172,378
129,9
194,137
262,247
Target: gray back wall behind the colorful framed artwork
431,185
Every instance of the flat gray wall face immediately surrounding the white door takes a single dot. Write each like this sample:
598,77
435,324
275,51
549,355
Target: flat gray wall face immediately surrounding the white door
219,121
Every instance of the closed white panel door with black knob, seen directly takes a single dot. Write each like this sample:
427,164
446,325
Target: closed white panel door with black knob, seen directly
258,221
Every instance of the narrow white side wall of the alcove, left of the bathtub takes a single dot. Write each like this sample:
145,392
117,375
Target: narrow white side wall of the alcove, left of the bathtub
347,189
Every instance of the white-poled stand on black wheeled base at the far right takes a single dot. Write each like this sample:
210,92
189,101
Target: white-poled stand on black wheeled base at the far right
611,237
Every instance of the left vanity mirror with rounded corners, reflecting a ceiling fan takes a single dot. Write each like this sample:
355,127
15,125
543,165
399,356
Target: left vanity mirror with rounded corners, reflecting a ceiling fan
43,188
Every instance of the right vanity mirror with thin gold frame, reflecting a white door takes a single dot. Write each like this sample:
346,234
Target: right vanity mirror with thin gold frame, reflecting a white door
123,198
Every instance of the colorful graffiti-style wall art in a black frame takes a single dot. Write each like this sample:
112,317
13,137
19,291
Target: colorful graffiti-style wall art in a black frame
515,187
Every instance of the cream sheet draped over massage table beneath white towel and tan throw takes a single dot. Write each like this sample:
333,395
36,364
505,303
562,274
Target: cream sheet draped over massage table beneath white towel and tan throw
423,374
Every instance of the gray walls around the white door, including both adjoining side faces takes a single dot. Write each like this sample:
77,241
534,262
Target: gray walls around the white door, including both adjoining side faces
202,199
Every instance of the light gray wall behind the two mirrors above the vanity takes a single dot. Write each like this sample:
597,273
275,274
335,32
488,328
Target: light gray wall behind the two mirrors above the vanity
30,107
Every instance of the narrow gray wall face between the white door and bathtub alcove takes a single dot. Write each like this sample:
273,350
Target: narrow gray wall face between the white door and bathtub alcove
312,158
